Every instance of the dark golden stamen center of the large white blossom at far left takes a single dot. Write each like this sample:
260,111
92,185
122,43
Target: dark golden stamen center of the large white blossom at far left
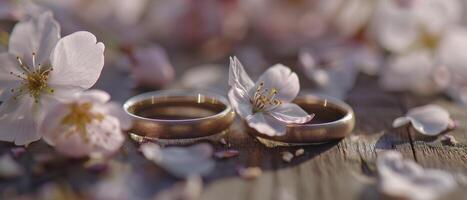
33,81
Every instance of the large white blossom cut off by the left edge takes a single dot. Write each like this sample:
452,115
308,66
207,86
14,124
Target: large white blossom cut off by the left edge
40,67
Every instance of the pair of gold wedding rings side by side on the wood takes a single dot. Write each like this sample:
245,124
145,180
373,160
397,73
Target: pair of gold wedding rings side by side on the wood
186,115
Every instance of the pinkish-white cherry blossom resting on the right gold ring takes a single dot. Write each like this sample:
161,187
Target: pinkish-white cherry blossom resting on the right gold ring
265,105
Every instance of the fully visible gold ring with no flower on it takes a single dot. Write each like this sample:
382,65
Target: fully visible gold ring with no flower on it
179,114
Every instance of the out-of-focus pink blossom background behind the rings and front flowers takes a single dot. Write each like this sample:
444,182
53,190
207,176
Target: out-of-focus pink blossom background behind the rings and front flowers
419,46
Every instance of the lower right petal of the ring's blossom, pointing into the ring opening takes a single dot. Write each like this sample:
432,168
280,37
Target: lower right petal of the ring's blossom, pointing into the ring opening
291,113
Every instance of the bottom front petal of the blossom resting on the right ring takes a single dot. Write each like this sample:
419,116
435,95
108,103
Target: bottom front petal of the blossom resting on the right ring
266,124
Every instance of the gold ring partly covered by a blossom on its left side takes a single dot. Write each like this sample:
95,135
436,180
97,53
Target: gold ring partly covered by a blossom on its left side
333,120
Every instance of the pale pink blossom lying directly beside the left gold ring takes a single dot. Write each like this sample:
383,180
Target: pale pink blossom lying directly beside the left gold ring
86,124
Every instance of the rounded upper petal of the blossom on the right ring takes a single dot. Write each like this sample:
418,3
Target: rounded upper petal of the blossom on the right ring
283,80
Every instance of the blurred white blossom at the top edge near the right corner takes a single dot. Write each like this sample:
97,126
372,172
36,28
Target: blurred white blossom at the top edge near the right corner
402,25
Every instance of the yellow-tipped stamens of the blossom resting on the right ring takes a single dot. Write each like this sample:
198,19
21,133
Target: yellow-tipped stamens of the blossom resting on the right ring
265,99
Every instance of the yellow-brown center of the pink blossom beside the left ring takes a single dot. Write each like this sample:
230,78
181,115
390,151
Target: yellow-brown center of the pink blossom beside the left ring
80,116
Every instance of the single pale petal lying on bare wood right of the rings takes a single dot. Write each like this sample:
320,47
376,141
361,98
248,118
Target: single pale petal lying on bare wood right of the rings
428,120
